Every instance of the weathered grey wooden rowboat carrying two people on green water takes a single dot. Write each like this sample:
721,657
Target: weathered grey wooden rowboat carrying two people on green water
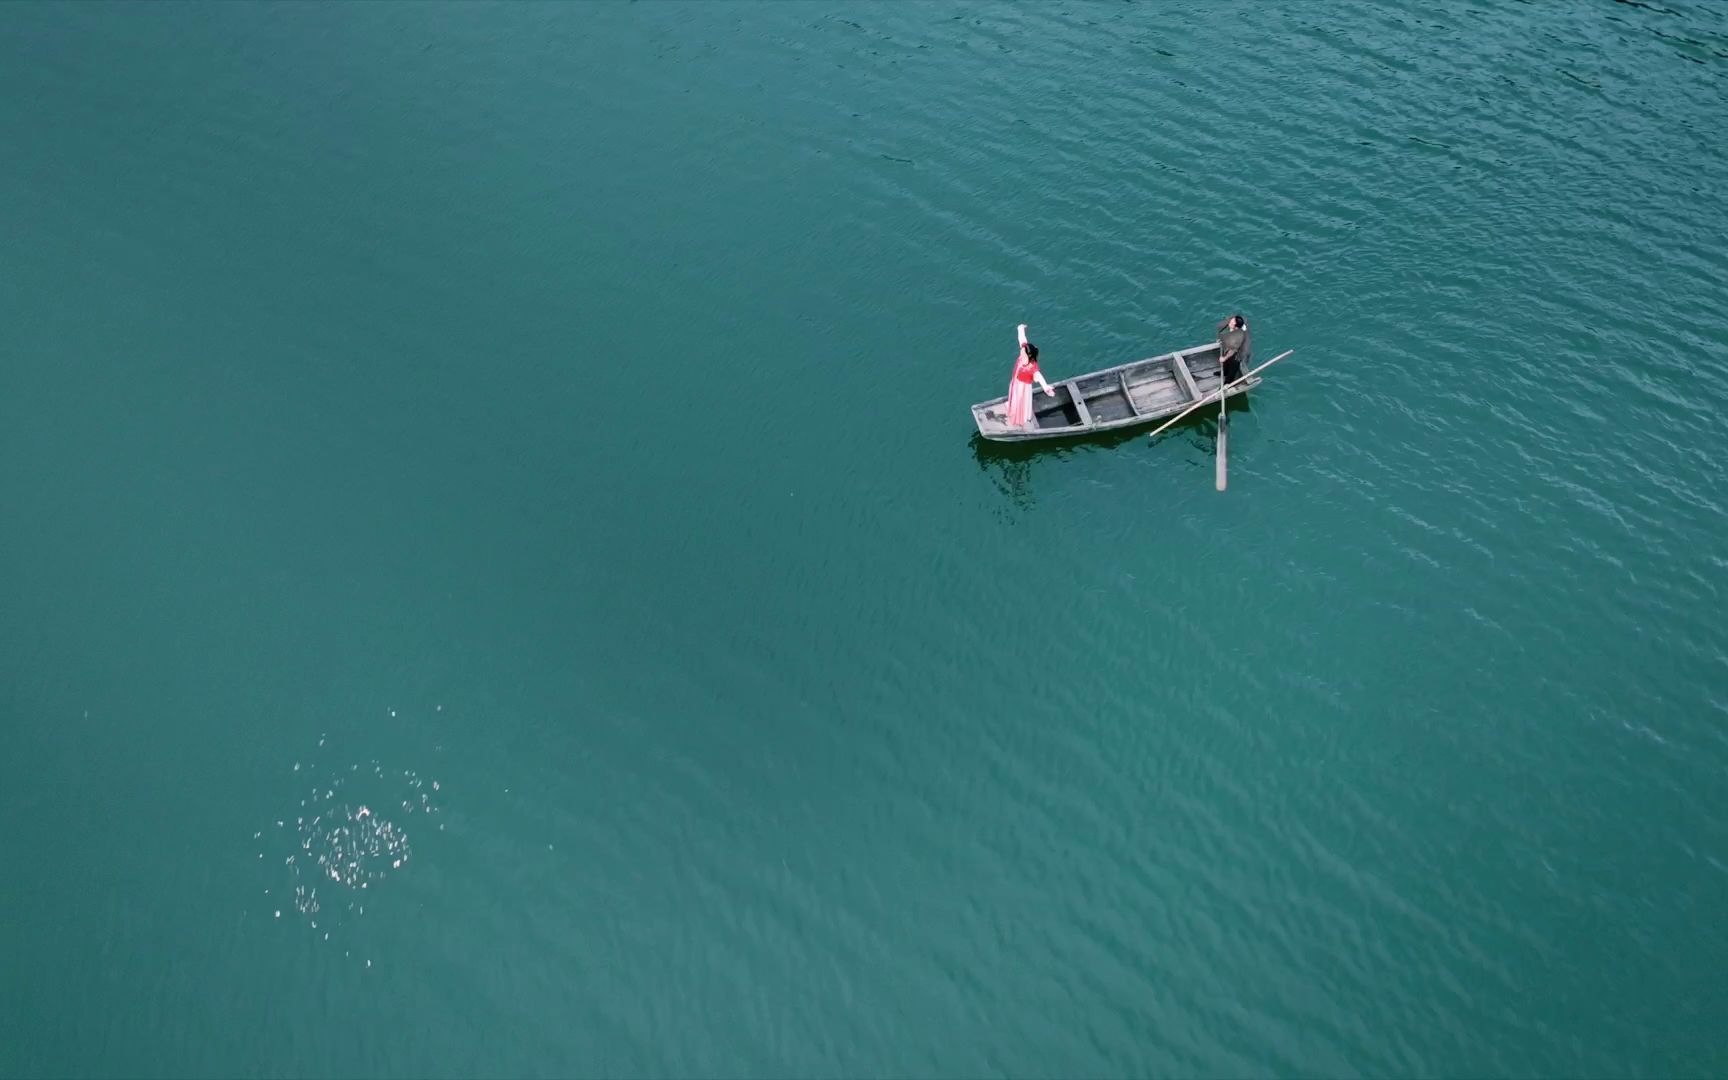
1124,397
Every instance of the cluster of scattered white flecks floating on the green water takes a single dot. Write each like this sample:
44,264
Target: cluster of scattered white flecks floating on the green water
343,841
